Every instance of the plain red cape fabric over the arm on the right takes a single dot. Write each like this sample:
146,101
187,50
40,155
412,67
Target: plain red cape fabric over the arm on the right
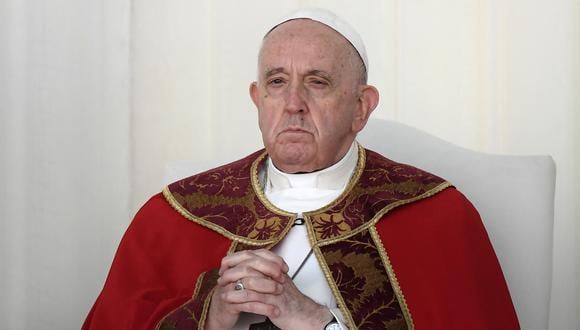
446,267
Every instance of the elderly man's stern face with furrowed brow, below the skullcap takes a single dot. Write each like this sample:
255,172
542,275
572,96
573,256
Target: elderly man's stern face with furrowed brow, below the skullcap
308,96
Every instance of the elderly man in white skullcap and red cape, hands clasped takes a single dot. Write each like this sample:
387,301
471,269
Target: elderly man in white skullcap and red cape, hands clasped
315,232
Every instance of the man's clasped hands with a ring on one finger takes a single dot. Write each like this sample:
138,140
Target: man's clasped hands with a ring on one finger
257,281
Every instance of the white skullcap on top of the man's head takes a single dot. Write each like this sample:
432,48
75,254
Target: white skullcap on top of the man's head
336,23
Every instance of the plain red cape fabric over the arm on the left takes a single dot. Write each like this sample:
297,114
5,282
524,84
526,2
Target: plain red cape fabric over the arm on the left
155,268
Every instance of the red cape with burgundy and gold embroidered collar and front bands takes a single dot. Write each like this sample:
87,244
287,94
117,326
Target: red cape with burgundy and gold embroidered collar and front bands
435,266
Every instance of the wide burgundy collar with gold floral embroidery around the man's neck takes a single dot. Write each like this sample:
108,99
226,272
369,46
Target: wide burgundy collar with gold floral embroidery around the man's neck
224,197
